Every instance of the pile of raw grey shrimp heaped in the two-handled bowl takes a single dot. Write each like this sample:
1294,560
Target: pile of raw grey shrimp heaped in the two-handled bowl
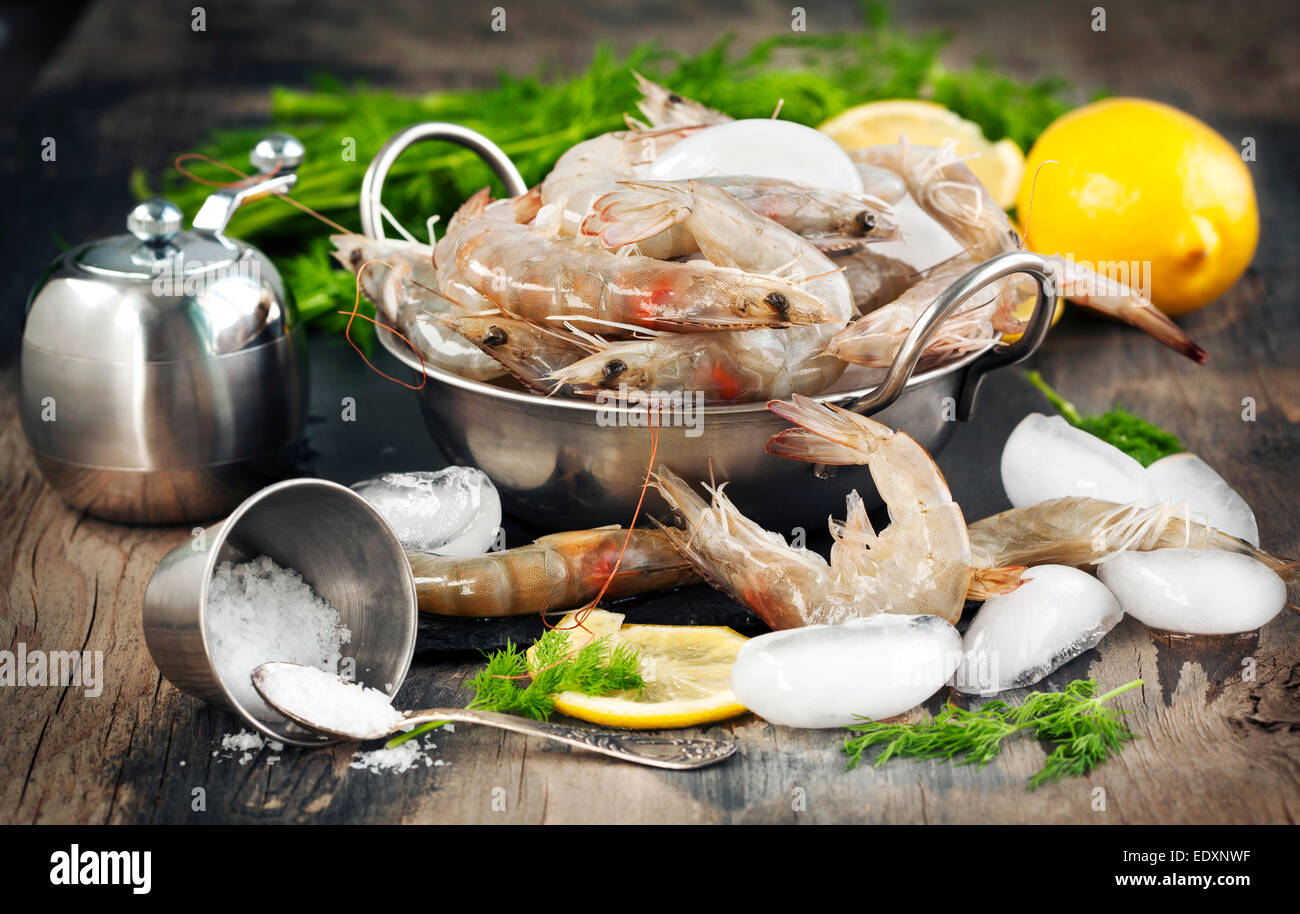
736,287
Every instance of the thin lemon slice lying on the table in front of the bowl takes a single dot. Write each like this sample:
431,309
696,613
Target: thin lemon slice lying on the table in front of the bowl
687,672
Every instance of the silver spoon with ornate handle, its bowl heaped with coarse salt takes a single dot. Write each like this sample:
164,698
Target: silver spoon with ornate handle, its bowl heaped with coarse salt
658,752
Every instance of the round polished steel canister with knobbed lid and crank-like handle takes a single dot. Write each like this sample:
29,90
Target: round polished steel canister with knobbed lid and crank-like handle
164,372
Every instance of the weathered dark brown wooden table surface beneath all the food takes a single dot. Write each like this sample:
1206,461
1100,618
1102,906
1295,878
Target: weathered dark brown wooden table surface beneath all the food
132,84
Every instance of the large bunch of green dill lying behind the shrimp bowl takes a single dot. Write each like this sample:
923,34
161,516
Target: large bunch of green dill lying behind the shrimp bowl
539,116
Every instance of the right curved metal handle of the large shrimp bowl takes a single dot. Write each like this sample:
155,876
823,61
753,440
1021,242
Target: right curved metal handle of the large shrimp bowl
943,307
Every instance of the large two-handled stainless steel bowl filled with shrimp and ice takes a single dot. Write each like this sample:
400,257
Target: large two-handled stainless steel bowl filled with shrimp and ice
566,464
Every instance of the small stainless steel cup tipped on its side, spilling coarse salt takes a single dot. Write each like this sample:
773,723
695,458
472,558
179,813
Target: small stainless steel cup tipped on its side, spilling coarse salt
341,547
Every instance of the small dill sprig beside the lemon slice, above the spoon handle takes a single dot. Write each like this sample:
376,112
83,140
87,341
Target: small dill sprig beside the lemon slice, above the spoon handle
514,683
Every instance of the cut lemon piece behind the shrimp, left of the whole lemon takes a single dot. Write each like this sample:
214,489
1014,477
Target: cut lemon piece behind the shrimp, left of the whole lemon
999,166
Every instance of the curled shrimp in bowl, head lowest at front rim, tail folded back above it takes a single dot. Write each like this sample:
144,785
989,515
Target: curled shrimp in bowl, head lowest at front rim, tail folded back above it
746,366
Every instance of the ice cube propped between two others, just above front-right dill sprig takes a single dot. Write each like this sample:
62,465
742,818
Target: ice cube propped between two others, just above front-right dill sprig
1020,638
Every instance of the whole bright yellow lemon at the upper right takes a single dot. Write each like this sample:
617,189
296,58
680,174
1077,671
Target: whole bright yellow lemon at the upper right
1142,183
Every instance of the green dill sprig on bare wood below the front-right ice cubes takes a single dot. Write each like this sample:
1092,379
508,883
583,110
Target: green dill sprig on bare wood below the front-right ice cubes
1082,730
